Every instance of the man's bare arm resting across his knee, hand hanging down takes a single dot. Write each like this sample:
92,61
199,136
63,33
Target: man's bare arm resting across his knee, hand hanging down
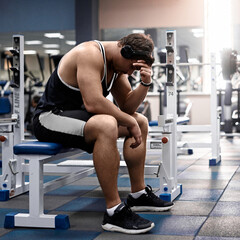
89,81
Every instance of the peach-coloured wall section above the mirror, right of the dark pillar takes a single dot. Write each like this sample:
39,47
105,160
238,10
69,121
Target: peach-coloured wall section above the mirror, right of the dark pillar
151,13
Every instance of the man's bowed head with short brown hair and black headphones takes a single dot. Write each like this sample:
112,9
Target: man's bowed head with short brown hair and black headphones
137,46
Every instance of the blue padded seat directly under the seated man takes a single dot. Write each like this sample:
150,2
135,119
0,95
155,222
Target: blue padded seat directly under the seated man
35,147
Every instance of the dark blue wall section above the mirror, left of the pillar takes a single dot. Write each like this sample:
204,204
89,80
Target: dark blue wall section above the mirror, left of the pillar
37,15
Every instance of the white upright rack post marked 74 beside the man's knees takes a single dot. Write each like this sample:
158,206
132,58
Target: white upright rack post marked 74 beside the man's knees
167,172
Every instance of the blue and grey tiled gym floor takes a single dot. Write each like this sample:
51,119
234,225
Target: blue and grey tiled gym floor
208,209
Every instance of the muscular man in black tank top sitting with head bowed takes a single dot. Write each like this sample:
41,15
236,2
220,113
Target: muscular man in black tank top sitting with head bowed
74,111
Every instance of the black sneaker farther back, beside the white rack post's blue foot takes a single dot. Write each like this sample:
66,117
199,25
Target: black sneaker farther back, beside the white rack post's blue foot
148,202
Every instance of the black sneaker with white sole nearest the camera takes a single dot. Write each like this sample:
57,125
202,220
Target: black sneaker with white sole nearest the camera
125,221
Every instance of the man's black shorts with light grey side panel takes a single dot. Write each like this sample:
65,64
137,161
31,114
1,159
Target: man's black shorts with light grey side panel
65,127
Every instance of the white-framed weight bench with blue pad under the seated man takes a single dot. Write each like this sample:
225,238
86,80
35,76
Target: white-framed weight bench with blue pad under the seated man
39,153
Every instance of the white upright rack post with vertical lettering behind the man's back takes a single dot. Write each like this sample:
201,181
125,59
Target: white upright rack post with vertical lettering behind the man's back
12,129
